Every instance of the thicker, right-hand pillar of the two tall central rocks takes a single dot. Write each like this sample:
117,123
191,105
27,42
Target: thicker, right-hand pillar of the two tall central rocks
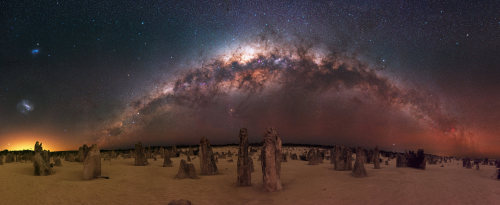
271,161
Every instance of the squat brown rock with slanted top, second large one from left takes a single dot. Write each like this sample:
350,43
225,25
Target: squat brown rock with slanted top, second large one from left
92,163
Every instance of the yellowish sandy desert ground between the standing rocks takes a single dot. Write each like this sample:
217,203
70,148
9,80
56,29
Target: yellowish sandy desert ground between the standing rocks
303,184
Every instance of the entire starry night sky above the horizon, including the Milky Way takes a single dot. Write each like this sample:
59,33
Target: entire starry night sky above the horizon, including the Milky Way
397,74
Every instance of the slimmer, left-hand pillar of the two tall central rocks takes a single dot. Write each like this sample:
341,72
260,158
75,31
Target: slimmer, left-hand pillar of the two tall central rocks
244,166
